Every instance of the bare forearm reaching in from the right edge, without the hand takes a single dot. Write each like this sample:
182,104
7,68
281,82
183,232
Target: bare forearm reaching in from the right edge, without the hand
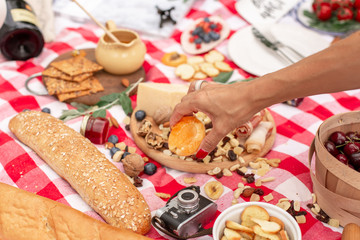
334,69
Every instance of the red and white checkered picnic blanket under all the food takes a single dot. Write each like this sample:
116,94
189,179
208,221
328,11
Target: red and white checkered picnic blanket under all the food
21,167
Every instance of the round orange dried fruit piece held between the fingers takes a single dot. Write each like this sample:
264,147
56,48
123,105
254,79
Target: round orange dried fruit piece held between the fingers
185,137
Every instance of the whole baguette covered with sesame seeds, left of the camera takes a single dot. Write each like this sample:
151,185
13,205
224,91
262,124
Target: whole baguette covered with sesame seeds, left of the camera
104,187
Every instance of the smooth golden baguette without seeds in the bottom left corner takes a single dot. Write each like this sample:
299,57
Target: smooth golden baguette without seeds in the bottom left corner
27,216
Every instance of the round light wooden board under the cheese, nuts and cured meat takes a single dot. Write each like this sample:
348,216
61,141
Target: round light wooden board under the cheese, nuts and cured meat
196,167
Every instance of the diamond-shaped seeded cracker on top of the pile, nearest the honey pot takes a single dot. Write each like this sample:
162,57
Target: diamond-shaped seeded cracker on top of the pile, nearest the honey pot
76,65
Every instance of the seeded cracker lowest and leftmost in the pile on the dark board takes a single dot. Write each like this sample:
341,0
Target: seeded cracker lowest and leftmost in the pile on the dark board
58,86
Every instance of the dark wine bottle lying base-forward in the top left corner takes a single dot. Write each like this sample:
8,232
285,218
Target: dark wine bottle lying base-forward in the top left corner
20,38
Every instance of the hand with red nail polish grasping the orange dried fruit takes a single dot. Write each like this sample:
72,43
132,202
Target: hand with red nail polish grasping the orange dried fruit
226,105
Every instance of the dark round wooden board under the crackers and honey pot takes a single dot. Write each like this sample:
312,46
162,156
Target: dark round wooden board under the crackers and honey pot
110,82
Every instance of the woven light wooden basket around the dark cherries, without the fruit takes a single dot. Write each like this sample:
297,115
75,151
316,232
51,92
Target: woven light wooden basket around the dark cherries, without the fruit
336,185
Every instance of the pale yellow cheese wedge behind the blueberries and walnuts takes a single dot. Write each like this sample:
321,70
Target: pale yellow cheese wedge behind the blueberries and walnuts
151,96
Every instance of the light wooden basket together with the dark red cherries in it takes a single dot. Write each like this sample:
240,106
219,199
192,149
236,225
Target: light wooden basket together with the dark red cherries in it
336,181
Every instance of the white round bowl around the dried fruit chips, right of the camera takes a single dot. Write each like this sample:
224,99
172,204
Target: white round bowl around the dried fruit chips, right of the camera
233,213
